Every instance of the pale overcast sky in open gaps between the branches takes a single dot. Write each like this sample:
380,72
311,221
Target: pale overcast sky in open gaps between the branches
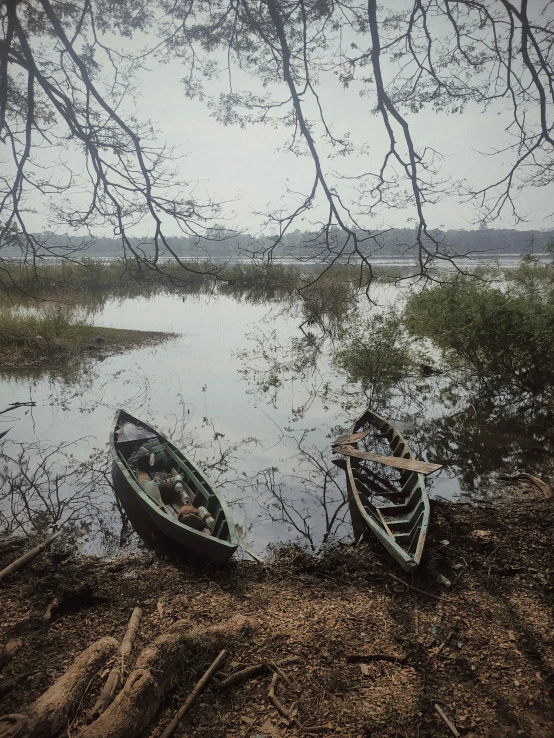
249,169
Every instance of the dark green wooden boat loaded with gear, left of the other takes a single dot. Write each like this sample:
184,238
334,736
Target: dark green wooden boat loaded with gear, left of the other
154,520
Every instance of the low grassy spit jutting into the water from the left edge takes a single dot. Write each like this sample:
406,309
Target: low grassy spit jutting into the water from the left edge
52,337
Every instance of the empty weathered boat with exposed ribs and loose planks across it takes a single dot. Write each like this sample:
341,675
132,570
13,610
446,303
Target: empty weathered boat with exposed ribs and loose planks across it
401,520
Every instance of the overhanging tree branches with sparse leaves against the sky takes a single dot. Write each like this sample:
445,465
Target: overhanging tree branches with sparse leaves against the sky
66,67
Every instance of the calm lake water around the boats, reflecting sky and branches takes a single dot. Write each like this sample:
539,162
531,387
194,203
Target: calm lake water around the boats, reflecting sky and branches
244,398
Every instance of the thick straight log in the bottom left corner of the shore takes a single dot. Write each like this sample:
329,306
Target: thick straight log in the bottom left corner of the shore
47,716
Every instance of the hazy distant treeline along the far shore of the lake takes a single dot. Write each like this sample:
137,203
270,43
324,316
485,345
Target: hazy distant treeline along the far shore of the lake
297,244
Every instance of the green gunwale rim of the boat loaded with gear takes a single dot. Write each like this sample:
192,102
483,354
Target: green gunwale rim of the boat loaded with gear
152,508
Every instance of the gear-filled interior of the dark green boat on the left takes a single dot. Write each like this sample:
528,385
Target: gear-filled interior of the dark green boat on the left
131,436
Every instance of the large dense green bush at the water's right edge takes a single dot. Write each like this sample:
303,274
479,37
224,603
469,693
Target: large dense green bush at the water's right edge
501,338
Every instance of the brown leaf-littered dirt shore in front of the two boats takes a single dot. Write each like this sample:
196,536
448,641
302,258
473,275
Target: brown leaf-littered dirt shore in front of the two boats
482,649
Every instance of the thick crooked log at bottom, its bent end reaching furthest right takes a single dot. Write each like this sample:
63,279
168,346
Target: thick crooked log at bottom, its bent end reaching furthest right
154,674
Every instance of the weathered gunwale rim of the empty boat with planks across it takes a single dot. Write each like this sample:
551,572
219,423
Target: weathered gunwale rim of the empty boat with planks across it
406,560
